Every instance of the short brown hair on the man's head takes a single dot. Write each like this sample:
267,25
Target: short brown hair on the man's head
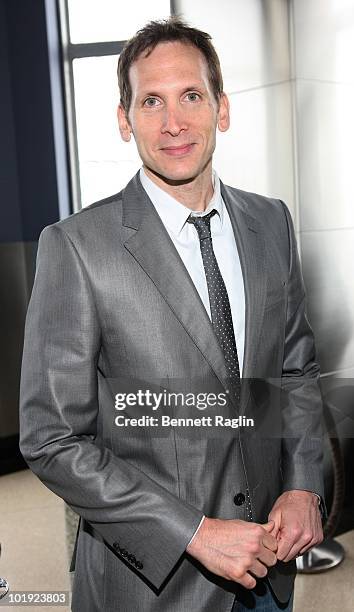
166,30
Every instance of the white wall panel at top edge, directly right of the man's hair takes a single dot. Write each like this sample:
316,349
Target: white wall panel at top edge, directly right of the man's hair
250,36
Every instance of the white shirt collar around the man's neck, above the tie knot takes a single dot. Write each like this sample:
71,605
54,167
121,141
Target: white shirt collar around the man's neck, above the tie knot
174,214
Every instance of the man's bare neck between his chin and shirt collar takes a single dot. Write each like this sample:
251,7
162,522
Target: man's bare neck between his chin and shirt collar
194,193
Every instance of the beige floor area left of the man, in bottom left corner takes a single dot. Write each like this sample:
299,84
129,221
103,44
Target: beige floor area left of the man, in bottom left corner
32,535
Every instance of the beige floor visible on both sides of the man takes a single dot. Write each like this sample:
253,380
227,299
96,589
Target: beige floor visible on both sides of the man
35,557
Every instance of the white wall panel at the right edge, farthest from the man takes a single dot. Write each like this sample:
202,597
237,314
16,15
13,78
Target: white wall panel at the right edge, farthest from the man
325,123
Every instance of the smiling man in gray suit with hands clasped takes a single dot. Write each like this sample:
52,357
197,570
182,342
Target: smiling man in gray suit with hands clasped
183,284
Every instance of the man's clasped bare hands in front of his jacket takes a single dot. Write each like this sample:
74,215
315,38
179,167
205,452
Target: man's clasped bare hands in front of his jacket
243,551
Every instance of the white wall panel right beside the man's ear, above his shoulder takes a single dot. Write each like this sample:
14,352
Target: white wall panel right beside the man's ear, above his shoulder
256,154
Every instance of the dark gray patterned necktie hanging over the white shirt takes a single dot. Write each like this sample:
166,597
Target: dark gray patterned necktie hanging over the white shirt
219,301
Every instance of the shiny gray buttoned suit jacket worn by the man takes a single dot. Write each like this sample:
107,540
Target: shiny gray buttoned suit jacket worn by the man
112,301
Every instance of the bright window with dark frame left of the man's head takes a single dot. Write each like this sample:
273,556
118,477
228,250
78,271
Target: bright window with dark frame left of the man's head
93,34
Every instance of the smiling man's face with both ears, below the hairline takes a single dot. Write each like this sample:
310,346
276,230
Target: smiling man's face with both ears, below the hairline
173,114
